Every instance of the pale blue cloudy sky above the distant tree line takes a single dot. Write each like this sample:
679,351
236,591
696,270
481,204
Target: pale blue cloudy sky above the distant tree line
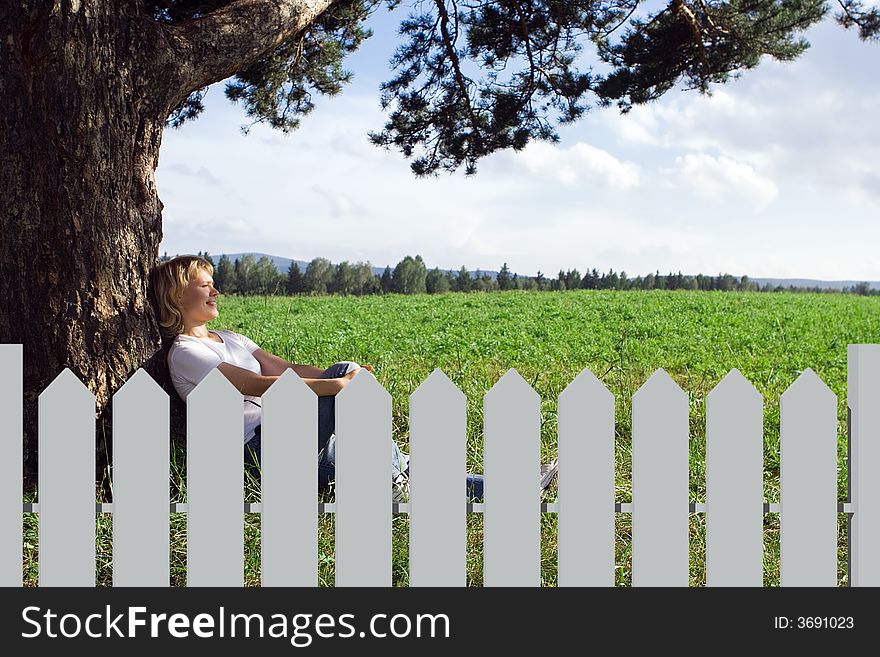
774,175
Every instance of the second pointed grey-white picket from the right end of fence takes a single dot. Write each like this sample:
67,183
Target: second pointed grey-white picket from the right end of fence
734,483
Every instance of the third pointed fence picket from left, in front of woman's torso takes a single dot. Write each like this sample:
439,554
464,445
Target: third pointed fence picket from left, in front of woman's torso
215,484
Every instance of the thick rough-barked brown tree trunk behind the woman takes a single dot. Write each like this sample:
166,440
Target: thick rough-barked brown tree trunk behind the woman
80,217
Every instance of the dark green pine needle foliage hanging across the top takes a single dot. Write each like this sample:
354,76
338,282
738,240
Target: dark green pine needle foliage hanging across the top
472,77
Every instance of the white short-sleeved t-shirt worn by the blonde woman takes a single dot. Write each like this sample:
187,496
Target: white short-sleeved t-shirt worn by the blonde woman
191,359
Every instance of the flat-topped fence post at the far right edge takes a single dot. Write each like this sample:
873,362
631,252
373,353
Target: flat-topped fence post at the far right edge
863,386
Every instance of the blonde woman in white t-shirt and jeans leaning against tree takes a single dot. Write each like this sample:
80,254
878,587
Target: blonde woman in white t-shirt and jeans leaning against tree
187,302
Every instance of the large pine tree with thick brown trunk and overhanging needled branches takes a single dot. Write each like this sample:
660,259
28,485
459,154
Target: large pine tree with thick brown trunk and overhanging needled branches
89,88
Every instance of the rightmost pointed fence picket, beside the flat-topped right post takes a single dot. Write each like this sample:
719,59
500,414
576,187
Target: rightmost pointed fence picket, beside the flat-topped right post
808,482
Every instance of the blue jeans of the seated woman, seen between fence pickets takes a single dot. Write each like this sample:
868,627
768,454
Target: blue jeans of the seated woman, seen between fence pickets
327,442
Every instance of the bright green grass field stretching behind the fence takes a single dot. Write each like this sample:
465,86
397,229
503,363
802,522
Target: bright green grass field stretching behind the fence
622,337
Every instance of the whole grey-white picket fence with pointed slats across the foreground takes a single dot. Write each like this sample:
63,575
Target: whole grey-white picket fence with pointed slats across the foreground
586,501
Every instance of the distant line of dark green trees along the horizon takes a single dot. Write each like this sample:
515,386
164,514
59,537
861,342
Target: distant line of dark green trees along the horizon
249,276
